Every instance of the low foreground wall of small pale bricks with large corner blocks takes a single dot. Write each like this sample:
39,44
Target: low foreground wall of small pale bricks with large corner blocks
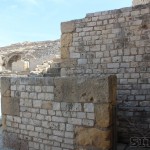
58,113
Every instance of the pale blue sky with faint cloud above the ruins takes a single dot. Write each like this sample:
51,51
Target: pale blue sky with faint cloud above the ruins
39,20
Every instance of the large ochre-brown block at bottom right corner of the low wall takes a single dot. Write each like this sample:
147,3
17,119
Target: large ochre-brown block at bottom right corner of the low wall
93,137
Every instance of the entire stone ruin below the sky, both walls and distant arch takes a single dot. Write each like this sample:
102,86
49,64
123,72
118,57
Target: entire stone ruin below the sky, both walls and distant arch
90,90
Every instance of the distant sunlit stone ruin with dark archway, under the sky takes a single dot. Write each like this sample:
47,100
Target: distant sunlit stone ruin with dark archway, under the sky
22,57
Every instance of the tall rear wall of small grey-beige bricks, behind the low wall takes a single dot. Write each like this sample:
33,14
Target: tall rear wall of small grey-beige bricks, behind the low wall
114,42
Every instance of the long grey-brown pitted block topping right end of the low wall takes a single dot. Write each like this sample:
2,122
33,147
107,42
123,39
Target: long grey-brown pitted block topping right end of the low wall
86,89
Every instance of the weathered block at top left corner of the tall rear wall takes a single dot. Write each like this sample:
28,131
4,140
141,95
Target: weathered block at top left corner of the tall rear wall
67,27
